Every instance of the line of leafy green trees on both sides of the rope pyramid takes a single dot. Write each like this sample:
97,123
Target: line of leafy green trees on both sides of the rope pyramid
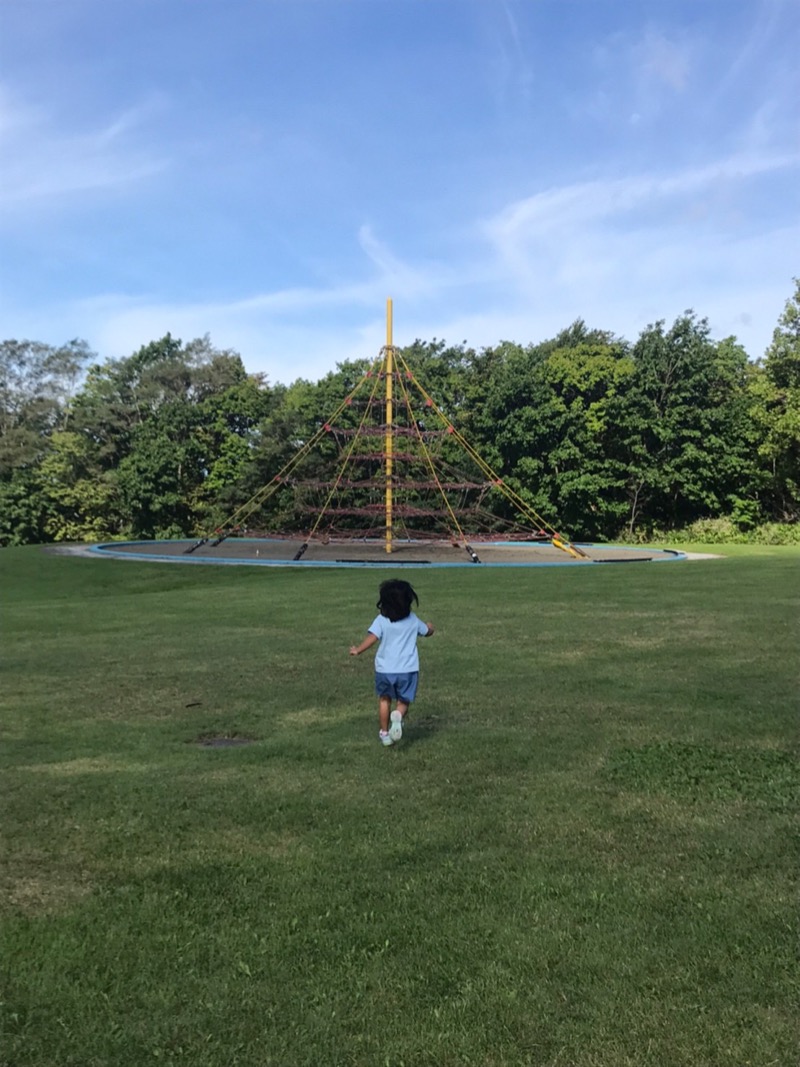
607,438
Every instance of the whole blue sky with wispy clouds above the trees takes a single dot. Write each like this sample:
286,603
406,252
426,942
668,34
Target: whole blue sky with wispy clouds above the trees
270,171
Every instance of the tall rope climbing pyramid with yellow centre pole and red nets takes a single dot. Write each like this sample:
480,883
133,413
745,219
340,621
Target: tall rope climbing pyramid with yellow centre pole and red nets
389,466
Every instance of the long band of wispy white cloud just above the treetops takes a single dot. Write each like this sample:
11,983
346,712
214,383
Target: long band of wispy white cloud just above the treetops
533,269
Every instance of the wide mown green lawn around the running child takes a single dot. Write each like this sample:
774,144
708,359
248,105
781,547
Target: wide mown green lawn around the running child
584,852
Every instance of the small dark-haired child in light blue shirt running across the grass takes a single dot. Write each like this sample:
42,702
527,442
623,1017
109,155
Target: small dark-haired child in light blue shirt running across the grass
397,660
